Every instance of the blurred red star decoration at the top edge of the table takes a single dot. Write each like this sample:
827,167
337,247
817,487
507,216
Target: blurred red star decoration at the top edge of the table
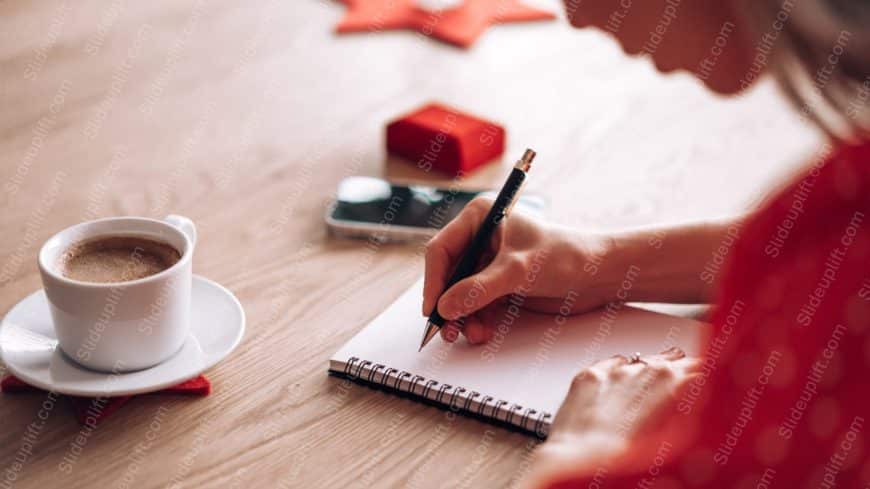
459,26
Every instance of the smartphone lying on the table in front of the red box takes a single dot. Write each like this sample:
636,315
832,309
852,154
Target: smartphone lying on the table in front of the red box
367,207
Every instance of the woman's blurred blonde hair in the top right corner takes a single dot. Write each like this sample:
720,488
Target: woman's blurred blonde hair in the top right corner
821,59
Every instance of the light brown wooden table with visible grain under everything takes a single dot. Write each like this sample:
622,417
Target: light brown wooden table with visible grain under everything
244,116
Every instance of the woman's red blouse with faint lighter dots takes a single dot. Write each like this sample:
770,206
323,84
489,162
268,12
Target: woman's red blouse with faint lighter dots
784,399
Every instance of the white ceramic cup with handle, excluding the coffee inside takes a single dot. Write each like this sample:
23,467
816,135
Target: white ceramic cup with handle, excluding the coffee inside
123,326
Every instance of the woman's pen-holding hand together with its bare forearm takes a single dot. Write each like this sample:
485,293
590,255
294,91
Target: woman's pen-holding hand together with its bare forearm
542,264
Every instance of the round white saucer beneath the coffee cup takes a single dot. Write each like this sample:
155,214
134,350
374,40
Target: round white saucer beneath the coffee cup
28,347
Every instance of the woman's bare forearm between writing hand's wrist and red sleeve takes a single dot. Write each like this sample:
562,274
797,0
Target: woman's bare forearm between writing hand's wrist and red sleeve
678,264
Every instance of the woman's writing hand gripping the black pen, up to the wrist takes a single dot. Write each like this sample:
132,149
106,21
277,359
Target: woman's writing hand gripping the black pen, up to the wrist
538,263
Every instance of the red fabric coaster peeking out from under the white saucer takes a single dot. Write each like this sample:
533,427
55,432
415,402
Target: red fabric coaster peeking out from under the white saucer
91,411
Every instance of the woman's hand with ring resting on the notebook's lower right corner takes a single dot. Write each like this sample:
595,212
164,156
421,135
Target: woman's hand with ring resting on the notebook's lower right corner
617,414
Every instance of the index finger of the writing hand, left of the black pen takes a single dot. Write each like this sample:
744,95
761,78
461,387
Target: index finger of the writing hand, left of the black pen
446,248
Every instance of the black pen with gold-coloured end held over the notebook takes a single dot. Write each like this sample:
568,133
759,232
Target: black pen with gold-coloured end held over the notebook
481,241
